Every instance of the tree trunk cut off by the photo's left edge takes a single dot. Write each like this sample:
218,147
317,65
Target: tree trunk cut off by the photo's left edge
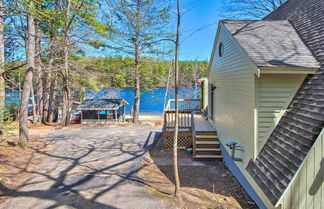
2,80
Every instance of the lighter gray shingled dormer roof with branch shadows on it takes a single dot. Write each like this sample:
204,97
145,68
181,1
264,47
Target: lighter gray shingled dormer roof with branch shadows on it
271,43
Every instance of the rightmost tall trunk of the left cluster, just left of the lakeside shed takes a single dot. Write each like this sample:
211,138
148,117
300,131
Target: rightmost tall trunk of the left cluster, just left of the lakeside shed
66,90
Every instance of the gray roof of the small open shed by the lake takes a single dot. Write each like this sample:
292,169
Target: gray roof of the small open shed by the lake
101,104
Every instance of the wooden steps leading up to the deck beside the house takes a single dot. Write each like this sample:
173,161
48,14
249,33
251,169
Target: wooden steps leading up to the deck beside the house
206,145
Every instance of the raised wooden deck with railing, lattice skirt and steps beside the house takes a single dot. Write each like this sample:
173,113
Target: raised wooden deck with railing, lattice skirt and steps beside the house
194,132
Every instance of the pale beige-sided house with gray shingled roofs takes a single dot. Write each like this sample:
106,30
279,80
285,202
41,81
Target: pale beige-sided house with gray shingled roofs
266,93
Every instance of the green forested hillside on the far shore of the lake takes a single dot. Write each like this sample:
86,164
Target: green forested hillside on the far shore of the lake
117,72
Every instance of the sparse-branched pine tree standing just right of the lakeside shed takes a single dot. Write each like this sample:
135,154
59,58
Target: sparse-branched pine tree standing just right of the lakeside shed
138,25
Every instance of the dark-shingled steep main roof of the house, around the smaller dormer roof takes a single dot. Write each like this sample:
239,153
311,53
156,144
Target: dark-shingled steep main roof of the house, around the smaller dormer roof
299,128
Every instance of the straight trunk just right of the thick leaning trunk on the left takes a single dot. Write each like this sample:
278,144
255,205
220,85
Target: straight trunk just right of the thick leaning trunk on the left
38,73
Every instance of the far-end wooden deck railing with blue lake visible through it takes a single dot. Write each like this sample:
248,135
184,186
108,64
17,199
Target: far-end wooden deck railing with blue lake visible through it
185,104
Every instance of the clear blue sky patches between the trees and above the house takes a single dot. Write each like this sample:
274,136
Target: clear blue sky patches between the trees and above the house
198,29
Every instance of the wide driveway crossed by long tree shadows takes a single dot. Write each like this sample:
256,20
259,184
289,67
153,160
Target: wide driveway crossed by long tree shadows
92,167
